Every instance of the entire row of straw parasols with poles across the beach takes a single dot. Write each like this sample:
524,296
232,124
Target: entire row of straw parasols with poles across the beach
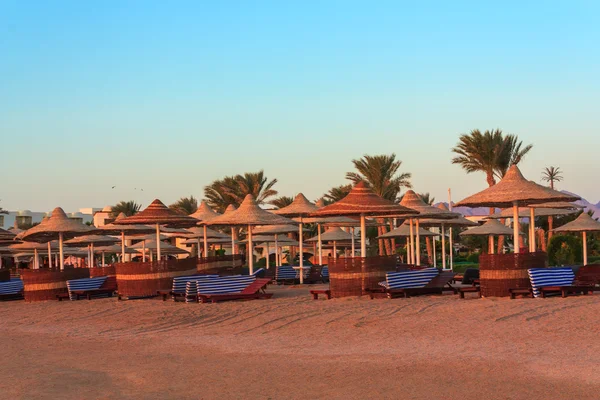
357,209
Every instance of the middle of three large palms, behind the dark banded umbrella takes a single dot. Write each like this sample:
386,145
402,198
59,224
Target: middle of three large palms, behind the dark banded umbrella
381,174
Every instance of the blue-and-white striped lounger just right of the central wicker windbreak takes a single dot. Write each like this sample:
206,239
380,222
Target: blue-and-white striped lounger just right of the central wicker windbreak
407,283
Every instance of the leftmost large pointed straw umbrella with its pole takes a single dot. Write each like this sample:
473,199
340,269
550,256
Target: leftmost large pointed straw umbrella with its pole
57,226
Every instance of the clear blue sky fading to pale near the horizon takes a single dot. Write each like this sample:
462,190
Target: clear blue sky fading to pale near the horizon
168,96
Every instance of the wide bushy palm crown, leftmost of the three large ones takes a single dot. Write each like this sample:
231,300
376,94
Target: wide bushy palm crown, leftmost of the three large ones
233,189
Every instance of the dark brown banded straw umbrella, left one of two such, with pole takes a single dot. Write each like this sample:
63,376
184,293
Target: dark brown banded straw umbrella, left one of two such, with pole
158,214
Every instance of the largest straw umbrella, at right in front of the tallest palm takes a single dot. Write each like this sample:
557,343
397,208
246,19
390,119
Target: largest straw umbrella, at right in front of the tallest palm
514,191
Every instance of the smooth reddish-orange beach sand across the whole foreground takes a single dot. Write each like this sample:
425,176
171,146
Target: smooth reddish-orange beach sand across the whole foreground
292,347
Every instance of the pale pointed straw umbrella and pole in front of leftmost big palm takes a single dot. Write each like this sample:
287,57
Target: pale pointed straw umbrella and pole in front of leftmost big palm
250,214
